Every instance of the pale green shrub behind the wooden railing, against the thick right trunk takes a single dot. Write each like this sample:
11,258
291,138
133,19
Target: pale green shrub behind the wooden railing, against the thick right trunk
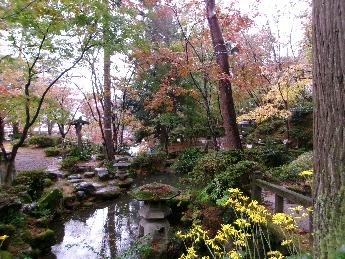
291,170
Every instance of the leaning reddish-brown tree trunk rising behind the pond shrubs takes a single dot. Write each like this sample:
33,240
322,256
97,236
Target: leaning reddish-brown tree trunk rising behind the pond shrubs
232,136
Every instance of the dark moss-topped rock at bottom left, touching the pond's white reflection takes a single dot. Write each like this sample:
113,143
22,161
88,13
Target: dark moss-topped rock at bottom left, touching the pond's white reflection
43,240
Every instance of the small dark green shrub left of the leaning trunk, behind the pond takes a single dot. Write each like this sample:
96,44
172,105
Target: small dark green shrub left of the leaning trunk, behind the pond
187,160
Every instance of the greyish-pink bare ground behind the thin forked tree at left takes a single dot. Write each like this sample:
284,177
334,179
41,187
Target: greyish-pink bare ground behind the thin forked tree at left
34,158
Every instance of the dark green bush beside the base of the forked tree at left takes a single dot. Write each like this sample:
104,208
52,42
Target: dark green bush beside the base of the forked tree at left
32,181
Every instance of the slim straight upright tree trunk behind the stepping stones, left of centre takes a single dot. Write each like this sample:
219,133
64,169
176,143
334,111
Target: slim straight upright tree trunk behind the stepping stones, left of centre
107,96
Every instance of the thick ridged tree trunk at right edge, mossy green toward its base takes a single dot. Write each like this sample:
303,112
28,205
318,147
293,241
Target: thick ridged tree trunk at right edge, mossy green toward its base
329,127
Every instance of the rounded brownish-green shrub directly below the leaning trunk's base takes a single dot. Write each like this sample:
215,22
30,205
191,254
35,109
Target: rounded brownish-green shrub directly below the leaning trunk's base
213,163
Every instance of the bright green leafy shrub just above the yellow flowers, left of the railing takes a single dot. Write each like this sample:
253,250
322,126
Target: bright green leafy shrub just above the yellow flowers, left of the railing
236,175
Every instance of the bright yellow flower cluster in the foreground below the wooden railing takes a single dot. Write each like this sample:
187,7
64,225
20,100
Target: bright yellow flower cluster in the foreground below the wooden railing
232,239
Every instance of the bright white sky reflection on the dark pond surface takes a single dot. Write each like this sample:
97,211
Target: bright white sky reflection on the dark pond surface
103,233
